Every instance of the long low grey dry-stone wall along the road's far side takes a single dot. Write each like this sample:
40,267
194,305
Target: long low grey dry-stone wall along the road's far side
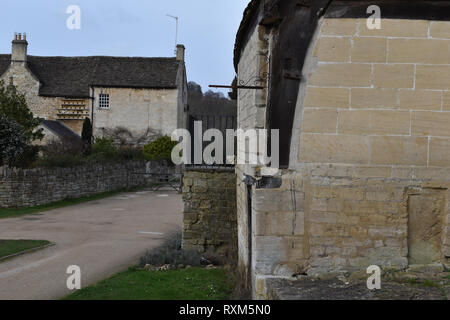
24,188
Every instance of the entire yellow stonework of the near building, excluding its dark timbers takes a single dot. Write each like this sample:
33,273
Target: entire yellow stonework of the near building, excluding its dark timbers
369,176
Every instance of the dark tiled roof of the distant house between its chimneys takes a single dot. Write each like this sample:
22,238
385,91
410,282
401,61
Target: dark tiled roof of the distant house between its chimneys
71,77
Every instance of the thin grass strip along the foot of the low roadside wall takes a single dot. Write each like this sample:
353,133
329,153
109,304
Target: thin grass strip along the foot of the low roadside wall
13,212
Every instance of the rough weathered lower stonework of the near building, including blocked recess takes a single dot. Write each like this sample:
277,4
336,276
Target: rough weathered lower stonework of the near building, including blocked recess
342,218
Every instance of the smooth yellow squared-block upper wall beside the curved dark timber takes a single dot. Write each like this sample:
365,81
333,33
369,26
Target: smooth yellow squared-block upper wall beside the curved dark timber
379,97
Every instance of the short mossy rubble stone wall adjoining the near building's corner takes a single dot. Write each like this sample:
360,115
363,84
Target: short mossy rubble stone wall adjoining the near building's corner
210,211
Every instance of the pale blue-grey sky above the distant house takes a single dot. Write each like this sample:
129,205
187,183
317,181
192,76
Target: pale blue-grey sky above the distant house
131,28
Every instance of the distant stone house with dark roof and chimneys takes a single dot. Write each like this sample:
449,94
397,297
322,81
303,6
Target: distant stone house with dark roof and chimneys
126,92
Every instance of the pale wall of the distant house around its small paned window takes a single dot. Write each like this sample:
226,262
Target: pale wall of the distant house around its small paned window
137,110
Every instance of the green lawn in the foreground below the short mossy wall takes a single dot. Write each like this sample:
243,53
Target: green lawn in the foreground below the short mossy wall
135,284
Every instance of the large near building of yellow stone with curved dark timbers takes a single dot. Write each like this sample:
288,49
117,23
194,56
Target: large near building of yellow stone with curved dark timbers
364,137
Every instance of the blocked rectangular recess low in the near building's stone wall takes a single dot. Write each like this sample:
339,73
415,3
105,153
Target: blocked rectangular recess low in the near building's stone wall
425,226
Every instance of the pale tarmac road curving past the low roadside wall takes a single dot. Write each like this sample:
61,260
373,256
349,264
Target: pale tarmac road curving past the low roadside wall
102,237
